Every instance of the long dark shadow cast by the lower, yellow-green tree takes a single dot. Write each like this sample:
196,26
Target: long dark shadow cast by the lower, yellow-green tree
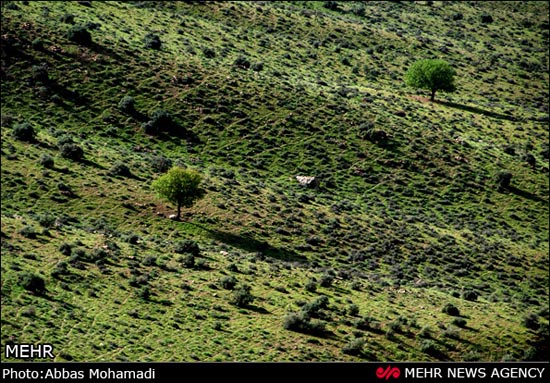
250,244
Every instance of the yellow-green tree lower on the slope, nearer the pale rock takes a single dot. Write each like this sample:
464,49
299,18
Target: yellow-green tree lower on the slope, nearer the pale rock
180,187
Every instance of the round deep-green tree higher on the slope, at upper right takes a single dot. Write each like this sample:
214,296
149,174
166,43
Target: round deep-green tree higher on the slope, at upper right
433,75
